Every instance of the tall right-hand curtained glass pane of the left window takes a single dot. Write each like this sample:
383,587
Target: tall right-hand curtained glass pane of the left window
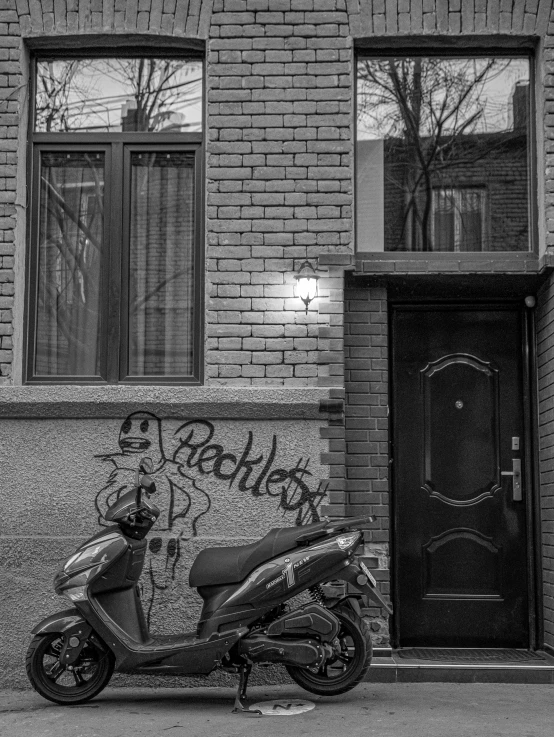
161,263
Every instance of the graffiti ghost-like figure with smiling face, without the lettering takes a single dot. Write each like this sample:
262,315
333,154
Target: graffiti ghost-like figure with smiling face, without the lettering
181,501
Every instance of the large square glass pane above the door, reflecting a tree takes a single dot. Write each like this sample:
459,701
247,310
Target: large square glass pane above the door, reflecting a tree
442,154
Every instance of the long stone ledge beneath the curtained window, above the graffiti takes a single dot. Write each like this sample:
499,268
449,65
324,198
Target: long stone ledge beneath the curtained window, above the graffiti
114,402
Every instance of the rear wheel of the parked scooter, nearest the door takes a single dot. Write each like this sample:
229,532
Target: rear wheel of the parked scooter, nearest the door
349,668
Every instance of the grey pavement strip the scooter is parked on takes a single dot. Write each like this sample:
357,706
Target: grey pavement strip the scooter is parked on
383,709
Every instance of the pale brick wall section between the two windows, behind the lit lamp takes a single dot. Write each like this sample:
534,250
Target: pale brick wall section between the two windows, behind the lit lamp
279,184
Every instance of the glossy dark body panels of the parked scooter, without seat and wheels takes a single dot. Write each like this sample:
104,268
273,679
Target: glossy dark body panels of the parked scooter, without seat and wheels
101,579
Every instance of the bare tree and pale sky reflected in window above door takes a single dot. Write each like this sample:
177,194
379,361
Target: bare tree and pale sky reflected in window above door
432,113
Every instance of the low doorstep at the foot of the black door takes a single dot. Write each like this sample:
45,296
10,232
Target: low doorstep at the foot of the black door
389,666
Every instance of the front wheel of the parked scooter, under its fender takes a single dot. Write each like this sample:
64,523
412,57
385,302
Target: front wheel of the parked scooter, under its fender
67,684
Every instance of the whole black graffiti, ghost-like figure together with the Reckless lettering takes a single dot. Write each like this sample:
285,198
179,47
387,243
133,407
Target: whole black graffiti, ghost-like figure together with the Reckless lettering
183,501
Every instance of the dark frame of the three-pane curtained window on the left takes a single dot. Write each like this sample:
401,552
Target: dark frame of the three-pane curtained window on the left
113,325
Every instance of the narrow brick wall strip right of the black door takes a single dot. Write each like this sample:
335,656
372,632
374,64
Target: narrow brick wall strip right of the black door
545,342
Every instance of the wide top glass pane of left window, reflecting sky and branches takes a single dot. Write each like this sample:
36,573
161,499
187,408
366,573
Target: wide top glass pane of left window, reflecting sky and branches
113,95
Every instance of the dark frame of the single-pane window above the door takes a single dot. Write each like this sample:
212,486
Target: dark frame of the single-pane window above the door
475,48
